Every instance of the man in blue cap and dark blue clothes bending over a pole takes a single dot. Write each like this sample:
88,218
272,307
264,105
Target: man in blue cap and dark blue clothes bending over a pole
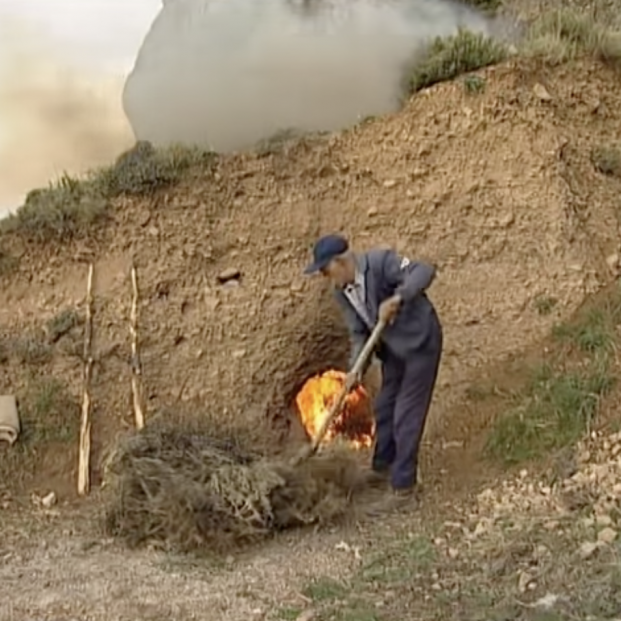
375,285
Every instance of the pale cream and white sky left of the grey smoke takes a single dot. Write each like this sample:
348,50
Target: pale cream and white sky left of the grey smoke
63,64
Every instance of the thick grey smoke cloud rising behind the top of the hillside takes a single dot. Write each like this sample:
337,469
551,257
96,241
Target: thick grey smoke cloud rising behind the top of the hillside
227,73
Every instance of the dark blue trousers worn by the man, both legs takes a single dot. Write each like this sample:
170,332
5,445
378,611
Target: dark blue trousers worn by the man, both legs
401,410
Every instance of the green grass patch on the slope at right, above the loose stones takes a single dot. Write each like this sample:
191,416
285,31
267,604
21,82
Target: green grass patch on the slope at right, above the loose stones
561,400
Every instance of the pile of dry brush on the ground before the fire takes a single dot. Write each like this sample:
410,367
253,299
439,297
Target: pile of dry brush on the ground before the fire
188,491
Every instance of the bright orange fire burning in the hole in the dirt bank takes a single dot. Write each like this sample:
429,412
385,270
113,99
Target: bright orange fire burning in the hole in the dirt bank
355,422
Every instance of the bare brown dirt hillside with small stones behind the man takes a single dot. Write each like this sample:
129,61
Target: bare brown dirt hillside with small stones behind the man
497,188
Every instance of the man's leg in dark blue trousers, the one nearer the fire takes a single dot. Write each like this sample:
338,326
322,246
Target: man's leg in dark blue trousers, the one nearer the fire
392,375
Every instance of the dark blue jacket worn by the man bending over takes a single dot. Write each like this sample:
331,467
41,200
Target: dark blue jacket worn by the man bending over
386,274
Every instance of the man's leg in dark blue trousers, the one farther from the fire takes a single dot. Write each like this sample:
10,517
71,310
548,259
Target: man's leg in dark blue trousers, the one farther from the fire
411,409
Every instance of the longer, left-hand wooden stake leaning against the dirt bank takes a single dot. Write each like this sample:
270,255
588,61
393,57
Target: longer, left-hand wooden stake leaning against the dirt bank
84,479
